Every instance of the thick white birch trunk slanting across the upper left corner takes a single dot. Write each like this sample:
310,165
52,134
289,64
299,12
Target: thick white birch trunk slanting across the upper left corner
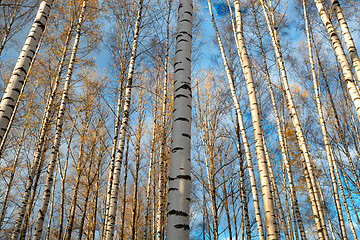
23,63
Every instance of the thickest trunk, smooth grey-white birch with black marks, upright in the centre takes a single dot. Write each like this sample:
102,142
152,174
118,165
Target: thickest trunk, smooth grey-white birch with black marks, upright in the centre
179,177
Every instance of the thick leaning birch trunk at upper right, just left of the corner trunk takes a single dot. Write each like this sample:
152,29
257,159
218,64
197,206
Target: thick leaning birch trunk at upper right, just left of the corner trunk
340,54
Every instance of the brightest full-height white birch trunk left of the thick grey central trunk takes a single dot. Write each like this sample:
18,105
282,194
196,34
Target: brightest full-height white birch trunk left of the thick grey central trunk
110,227
